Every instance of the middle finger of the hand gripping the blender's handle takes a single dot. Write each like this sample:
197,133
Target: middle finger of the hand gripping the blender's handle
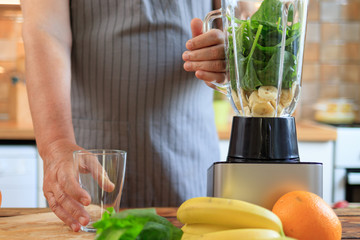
212,53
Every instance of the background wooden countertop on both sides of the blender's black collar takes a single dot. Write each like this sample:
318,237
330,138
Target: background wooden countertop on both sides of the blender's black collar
307,131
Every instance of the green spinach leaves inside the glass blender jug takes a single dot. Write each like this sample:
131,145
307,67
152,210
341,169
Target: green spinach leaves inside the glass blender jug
258,46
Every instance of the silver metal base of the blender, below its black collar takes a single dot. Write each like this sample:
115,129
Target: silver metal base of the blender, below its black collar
263,183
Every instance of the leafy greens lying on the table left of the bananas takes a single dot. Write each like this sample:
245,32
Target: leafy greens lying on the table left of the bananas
135,224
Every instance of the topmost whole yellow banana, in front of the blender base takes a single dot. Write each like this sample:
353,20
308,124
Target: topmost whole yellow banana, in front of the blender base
227,212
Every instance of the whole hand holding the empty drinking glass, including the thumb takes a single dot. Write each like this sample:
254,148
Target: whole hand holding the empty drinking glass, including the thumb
61,187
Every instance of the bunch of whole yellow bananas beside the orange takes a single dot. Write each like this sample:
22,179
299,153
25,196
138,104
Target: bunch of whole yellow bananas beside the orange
219,218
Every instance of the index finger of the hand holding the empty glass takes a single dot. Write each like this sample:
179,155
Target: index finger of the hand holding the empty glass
72,187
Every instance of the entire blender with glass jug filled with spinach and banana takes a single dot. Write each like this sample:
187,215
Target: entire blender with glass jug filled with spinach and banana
264,45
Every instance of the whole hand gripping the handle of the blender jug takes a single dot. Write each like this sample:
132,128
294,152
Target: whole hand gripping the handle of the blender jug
205,55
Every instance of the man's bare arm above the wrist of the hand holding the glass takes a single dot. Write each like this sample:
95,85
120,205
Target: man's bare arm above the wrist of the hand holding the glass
48,73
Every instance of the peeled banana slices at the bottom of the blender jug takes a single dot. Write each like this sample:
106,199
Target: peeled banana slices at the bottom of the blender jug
262,102
